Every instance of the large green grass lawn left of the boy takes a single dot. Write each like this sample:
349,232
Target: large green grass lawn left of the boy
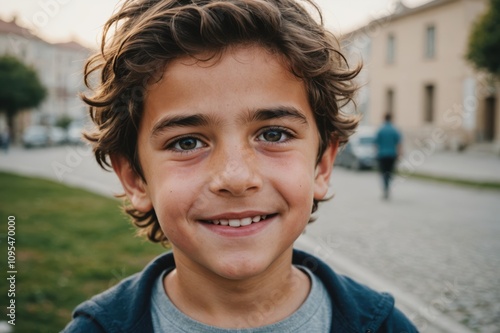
70,245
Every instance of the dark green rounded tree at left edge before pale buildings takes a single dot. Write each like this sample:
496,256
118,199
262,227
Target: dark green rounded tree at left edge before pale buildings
20,88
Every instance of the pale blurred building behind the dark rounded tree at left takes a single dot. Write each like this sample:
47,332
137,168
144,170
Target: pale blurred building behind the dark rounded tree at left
59,67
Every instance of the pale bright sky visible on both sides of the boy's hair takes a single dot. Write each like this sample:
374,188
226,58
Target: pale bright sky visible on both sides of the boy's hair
82,20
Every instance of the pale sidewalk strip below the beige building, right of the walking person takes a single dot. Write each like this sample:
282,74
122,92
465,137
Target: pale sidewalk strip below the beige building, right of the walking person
469,165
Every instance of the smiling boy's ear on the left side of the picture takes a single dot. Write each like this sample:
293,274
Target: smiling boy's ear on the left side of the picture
132,183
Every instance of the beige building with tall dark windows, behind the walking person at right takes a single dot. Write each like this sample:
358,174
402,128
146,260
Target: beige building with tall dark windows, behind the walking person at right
415,68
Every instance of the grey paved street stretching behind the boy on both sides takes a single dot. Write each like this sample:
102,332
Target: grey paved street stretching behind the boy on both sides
438,244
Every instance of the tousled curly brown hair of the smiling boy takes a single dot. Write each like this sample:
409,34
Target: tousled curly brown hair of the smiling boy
142,37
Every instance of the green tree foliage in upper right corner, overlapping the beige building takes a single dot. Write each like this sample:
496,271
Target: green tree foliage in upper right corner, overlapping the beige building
484,40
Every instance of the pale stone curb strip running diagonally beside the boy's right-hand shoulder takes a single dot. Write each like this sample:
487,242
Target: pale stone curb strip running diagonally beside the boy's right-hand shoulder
426,317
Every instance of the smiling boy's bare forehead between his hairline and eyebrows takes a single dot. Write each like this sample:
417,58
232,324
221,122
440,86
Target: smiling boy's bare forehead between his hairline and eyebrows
251,76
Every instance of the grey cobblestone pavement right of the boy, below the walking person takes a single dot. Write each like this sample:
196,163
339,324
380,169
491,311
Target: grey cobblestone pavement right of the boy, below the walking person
438,242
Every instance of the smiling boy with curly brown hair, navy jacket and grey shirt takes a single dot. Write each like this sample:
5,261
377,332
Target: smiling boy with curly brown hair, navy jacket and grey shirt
221,119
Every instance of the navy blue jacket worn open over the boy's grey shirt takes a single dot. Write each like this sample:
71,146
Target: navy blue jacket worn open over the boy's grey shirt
126,306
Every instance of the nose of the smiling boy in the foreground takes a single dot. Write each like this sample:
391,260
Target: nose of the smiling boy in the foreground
235,173
